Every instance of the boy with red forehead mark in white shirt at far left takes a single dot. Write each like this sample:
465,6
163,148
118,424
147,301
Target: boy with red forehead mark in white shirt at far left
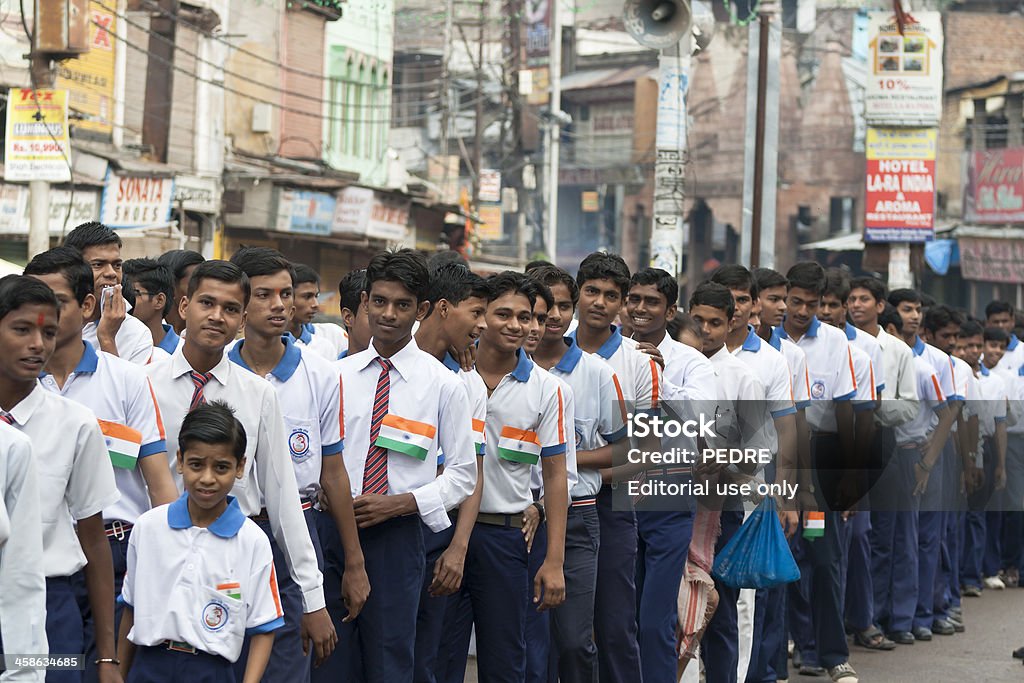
77,483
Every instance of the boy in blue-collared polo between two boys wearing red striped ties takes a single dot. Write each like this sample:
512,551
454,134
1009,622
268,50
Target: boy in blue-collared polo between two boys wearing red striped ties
309,391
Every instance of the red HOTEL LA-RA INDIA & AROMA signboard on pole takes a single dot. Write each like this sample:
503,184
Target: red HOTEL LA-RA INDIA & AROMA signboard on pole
901,199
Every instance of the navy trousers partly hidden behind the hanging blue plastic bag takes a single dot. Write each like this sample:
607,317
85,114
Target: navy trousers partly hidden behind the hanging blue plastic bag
720,647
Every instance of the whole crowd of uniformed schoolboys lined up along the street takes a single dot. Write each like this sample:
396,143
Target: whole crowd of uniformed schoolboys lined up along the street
200,484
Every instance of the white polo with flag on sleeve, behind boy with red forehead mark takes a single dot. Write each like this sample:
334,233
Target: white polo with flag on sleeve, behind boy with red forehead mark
119,393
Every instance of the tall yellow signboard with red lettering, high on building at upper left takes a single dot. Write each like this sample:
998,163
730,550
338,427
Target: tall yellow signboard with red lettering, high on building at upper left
90,79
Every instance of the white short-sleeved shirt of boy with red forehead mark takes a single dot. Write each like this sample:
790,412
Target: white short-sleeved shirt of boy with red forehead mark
76,479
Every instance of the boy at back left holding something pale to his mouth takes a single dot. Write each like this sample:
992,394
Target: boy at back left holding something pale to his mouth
111,329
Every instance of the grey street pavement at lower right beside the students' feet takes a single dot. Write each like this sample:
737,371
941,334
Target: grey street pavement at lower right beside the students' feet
982,655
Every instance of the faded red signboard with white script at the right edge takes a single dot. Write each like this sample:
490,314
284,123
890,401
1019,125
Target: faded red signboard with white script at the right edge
995,189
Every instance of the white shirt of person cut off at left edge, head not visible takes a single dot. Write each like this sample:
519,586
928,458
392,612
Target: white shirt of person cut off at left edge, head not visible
23,582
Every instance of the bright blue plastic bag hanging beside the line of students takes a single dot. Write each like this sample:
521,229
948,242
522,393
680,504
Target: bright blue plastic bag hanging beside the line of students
758,557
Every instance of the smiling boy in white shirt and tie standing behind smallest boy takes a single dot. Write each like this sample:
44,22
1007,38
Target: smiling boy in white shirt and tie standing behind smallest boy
200,371
